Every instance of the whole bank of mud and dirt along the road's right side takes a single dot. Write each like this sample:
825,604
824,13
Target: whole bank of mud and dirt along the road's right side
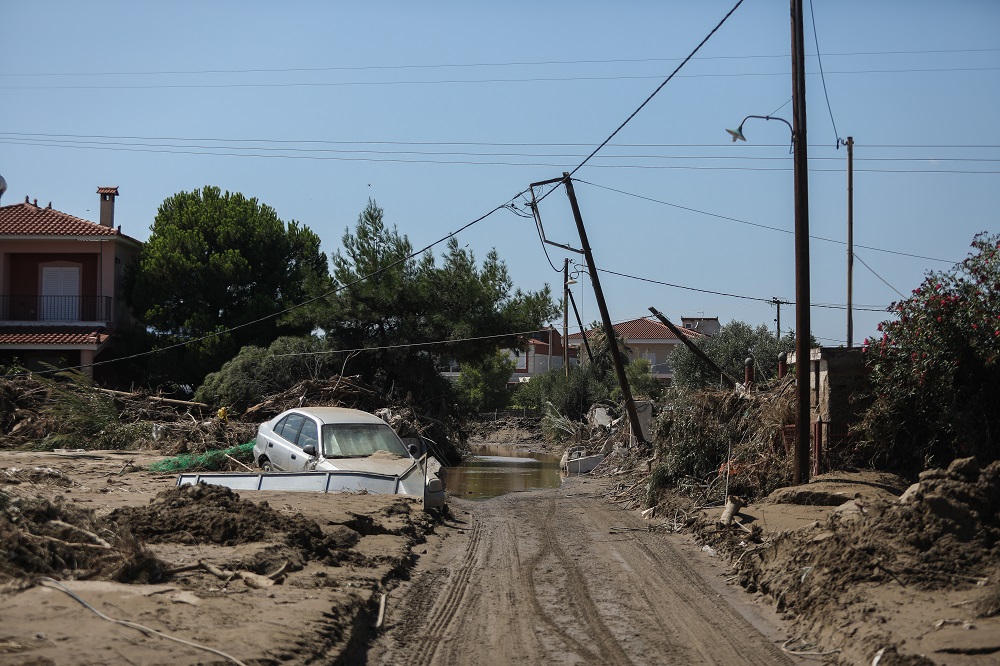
863,566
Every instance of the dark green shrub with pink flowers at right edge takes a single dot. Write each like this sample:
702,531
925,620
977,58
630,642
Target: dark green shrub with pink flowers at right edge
935,369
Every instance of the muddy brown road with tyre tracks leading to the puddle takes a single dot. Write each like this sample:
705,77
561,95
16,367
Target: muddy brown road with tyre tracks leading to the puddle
561,576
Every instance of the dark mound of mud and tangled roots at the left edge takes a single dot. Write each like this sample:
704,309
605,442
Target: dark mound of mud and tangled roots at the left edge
52,538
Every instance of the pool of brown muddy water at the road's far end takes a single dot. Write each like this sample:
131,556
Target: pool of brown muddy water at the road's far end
496,469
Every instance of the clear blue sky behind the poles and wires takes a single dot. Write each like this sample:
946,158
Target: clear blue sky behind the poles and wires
442,111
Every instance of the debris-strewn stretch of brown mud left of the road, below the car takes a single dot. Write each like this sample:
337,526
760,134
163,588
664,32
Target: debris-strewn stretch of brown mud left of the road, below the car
259,578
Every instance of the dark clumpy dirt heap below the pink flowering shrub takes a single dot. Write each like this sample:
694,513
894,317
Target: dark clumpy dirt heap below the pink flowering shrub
943,532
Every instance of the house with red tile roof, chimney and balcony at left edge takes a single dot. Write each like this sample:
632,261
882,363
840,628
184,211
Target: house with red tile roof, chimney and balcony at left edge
61,283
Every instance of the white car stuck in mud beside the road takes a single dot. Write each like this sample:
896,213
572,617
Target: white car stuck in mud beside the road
326,439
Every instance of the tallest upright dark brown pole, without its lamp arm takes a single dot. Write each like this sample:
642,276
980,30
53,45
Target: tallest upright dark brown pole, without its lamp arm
803,411
